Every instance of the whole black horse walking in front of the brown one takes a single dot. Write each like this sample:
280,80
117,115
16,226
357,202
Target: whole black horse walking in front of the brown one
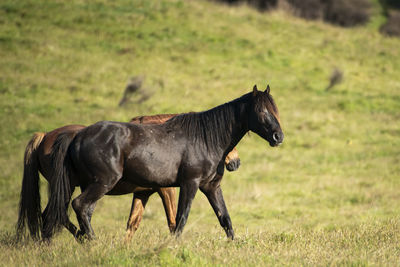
188,151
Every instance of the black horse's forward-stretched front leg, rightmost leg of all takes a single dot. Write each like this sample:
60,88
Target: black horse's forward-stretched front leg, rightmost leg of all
214,194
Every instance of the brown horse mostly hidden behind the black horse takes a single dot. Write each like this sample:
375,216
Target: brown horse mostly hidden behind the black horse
38,159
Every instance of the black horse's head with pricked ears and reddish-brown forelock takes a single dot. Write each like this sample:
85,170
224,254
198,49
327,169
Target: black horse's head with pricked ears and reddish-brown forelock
264,117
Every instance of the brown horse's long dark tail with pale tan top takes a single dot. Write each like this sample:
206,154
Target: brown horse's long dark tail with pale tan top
29,205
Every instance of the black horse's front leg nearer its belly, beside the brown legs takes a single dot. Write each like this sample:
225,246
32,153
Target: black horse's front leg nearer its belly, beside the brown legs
187,192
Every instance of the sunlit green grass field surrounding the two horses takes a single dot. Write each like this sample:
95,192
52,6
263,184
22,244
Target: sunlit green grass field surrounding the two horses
328,196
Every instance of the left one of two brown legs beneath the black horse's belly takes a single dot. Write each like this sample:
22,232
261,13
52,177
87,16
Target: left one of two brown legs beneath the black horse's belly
135,217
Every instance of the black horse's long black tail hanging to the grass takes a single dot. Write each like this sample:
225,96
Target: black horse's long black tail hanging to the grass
60,189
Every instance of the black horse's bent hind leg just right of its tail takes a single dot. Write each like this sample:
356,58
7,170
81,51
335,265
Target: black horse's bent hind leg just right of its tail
84,205
